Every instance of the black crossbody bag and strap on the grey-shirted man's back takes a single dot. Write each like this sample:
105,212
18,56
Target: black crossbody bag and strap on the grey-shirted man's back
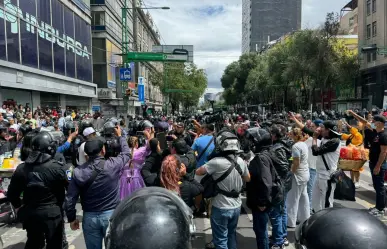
211,188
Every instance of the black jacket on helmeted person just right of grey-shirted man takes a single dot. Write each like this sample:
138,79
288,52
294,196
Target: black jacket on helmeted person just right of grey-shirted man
259,189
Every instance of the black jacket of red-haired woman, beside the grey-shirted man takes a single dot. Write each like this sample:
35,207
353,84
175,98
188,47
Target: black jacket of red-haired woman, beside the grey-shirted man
189,189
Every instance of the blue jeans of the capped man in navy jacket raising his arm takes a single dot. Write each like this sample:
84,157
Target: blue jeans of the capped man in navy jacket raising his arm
94,227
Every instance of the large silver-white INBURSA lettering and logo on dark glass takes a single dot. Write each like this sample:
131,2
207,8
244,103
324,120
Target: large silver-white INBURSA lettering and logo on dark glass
45,31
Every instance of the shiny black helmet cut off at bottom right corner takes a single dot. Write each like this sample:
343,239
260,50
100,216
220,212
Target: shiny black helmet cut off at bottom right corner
341,228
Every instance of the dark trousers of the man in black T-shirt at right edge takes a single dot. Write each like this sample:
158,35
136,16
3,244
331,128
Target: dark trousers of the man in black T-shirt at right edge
378,182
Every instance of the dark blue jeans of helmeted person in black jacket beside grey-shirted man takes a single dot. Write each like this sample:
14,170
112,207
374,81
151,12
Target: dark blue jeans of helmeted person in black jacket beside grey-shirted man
260,220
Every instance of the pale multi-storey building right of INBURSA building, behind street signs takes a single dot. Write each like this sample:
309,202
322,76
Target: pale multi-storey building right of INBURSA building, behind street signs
107,28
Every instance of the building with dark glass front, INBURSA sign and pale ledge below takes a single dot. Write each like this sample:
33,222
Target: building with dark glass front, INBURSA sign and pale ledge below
46,54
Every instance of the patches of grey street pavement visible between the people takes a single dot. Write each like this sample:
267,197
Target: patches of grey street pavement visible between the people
14,237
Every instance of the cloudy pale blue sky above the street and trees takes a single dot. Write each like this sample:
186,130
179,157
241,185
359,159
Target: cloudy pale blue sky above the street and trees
214,28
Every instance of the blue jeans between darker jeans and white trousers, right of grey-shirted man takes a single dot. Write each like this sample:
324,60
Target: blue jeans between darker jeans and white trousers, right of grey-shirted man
276,215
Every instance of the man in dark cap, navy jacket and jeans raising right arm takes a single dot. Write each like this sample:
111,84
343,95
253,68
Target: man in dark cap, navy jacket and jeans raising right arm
97,182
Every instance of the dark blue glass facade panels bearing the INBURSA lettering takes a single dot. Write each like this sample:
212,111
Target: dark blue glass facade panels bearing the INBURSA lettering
46,35
